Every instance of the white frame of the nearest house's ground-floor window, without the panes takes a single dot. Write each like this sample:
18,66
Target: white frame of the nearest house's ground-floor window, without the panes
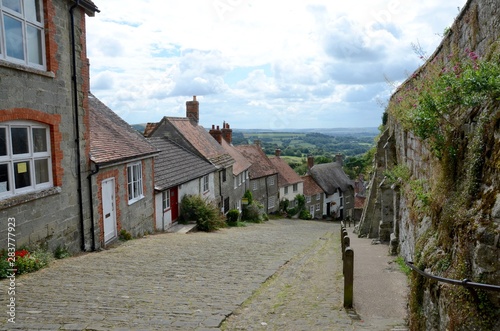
25,162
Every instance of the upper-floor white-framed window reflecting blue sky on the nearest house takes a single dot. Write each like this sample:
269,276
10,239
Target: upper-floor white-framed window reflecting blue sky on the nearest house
22,33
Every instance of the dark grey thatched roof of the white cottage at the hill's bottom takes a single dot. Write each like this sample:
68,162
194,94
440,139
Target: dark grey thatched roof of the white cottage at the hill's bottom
330,177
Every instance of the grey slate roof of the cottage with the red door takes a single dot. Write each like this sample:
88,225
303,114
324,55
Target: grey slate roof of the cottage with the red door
175,165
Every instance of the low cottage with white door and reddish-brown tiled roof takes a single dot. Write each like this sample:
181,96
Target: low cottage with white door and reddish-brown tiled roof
122,179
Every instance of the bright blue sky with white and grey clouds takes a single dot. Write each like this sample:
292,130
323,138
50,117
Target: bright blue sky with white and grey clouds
259,64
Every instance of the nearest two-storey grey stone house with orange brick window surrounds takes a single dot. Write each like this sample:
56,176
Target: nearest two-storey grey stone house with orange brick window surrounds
44,123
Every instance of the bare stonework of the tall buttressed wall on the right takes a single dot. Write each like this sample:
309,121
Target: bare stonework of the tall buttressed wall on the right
465,244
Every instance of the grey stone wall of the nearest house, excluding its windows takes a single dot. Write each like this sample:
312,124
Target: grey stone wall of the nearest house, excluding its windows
50,216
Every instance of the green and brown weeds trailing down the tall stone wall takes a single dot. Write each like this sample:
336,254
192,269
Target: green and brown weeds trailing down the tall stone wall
453,107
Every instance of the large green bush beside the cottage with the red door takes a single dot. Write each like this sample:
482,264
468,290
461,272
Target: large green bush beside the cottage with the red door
203,211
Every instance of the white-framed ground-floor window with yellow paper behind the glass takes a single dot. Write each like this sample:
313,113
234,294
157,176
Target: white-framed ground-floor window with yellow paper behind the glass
25,158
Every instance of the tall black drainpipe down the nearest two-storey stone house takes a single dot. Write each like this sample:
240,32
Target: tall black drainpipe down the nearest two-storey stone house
77,122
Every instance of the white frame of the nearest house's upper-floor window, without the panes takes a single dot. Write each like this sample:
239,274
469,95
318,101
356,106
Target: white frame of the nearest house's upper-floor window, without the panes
27,24
